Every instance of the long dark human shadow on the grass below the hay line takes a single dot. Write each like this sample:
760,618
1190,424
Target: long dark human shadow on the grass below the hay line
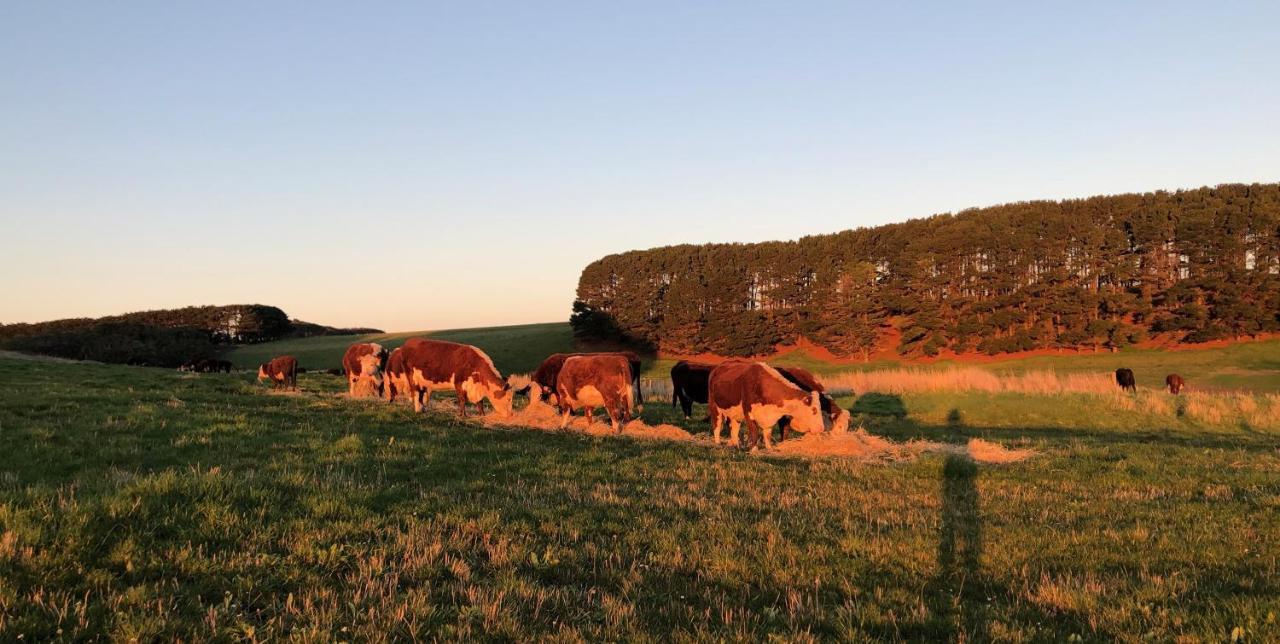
959,599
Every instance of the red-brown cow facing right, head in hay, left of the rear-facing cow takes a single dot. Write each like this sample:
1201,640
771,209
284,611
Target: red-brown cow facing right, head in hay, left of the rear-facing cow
433,364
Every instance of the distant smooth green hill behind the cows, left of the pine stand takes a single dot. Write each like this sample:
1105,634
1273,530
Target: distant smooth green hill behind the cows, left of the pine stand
513,349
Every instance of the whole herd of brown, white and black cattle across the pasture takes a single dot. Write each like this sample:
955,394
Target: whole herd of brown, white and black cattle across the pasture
735,391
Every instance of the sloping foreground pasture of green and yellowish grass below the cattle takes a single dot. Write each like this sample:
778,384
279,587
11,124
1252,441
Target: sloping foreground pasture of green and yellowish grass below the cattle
140,504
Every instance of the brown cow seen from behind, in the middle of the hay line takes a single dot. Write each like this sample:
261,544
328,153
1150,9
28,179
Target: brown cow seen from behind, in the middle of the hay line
596,381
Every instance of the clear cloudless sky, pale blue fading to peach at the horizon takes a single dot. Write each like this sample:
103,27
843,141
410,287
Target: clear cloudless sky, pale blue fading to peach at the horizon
414,166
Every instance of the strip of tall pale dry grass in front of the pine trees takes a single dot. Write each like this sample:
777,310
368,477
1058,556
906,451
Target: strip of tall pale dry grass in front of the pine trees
915,381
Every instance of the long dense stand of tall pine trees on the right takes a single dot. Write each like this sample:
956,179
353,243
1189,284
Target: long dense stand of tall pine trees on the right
1094,273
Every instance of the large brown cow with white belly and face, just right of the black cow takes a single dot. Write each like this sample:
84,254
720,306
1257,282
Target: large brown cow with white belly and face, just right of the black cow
758,395
